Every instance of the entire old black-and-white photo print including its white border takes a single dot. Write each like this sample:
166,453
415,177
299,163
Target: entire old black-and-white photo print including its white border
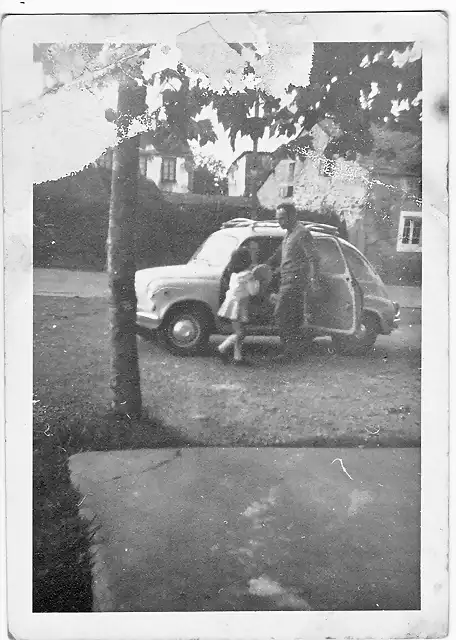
226,228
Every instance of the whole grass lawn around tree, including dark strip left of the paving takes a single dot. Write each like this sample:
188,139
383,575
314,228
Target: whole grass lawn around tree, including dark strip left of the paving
322,400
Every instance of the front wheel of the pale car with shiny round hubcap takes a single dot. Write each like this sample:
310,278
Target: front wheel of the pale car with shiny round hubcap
186,331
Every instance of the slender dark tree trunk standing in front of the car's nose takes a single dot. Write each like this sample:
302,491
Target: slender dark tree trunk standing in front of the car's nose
125,380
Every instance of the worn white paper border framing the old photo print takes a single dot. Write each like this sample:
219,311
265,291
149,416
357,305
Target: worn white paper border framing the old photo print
431,30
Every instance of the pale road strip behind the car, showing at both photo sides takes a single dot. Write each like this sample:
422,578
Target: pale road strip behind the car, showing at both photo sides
86,284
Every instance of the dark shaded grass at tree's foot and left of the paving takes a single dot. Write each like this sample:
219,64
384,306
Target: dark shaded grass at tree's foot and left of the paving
62,579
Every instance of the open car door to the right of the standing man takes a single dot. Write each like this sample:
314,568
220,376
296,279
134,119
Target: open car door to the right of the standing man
339,311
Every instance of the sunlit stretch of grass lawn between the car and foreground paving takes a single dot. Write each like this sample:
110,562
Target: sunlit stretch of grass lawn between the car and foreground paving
322,399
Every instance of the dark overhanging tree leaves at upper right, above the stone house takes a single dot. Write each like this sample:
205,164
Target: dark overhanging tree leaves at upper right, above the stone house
341,87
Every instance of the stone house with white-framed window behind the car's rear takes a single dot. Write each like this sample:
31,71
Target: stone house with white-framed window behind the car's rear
379,203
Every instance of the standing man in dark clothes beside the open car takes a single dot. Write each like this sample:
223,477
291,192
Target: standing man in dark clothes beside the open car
298,262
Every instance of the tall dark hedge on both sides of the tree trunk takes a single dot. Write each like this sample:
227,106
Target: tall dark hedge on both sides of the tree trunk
71,222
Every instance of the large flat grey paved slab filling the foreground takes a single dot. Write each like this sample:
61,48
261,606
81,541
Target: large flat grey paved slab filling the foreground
253,529
